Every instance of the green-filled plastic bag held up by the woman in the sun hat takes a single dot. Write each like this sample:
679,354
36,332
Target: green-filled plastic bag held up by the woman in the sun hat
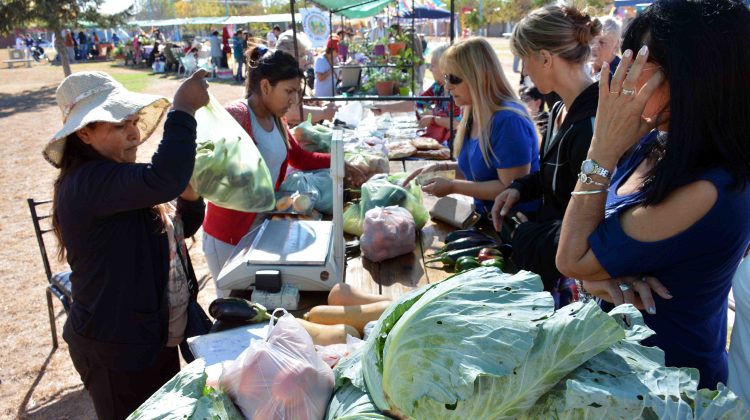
229,171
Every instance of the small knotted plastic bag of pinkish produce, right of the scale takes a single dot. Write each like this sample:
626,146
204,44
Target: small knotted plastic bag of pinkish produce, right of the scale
388,232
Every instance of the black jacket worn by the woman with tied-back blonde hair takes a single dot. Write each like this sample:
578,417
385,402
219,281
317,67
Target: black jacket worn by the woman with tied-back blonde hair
535,243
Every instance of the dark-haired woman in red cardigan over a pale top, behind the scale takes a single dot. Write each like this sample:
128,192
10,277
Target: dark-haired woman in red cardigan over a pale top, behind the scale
272,87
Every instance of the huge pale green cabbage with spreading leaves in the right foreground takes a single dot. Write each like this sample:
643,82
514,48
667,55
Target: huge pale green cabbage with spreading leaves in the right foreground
483,344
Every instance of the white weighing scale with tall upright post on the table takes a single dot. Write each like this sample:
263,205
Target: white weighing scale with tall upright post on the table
309,254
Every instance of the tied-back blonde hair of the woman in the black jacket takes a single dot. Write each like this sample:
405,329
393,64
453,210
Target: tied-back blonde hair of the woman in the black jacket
561,30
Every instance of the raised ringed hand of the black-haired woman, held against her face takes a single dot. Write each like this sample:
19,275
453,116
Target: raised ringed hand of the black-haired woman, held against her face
619,116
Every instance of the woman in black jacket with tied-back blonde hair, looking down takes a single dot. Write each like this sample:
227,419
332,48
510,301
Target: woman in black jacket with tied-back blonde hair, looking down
553,43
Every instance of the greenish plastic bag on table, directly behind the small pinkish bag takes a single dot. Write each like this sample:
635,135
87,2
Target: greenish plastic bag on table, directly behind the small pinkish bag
383,191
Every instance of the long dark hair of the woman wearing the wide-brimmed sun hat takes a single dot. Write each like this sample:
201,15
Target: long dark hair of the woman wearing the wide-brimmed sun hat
75,155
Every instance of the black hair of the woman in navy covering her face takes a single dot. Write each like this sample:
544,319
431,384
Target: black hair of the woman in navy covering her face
703,48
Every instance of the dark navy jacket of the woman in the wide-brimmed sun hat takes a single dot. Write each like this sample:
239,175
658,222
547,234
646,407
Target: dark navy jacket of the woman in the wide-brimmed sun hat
119,252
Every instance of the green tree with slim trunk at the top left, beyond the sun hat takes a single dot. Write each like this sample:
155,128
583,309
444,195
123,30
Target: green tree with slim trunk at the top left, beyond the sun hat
55,15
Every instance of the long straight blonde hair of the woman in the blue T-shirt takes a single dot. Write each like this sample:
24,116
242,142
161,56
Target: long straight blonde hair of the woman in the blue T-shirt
475,62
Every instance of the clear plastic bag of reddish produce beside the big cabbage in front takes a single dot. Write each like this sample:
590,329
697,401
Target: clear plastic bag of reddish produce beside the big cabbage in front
281,378
